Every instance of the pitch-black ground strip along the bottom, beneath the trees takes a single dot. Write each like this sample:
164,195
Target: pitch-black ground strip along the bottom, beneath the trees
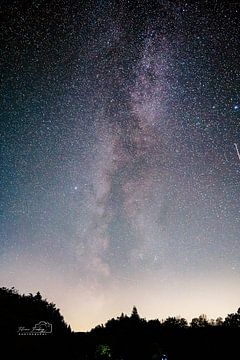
171,344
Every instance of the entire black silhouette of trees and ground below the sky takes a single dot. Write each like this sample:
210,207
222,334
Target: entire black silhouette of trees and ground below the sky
123,338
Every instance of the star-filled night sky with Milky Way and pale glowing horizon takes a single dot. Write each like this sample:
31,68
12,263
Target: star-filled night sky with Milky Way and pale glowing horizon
119,136
